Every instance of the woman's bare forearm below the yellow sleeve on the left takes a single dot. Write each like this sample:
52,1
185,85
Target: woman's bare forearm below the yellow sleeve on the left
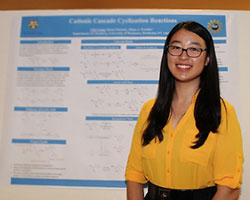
134,191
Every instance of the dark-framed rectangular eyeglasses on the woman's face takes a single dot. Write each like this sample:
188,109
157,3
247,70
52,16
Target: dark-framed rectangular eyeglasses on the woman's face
191,51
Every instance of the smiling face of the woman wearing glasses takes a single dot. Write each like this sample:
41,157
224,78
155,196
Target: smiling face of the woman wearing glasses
183,67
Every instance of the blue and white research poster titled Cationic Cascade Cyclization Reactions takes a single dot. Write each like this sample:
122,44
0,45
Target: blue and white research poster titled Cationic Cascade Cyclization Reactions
76,84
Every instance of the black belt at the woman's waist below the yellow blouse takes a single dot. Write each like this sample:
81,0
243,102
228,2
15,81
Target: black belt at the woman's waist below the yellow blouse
159,193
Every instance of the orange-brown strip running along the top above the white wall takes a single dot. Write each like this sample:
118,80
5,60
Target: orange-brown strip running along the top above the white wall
111,4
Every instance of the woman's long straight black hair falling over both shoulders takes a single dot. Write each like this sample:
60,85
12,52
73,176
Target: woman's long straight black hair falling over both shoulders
207,110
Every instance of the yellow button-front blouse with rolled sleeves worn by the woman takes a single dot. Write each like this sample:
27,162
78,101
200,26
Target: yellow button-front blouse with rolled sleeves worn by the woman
173,164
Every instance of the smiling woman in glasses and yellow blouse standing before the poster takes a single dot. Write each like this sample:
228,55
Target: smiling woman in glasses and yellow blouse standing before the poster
187,142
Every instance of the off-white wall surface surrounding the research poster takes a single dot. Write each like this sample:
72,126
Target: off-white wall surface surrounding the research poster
63,193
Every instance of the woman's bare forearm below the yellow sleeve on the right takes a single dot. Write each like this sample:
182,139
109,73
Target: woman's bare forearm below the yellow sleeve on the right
226,193
